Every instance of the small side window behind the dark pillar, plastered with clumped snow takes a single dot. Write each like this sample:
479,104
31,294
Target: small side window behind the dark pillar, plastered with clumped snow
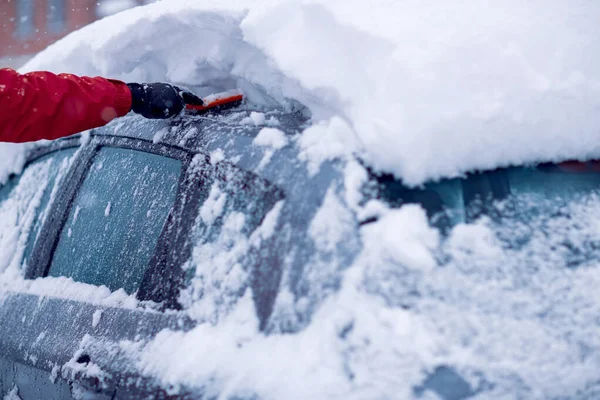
234,207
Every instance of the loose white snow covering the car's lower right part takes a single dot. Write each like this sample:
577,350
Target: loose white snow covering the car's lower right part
511,322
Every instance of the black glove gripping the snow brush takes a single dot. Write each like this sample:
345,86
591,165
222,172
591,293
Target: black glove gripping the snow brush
160,100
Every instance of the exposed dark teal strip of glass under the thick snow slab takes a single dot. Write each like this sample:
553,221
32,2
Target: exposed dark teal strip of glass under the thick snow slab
518,192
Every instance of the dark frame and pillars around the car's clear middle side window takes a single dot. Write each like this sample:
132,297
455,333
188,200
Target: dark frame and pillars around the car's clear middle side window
164,275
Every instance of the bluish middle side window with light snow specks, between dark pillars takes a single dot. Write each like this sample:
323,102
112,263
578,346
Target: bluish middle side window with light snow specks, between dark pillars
116,218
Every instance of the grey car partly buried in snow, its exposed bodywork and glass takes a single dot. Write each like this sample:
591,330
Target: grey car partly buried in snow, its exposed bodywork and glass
115,223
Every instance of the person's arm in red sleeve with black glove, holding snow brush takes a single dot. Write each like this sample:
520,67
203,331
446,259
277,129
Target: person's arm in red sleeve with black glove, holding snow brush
42,105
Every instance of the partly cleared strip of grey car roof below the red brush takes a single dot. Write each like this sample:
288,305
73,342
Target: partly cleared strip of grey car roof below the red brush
259,142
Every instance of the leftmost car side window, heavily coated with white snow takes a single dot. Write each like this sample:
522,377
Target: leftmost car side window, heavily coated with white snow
24,204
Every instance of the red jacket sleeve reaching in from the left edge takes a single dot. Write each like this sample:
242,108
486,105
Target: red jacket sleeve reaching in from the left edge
41,105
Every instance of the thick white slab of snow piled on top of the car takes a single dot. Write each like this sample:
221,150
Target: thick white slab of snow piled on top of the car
430,90
